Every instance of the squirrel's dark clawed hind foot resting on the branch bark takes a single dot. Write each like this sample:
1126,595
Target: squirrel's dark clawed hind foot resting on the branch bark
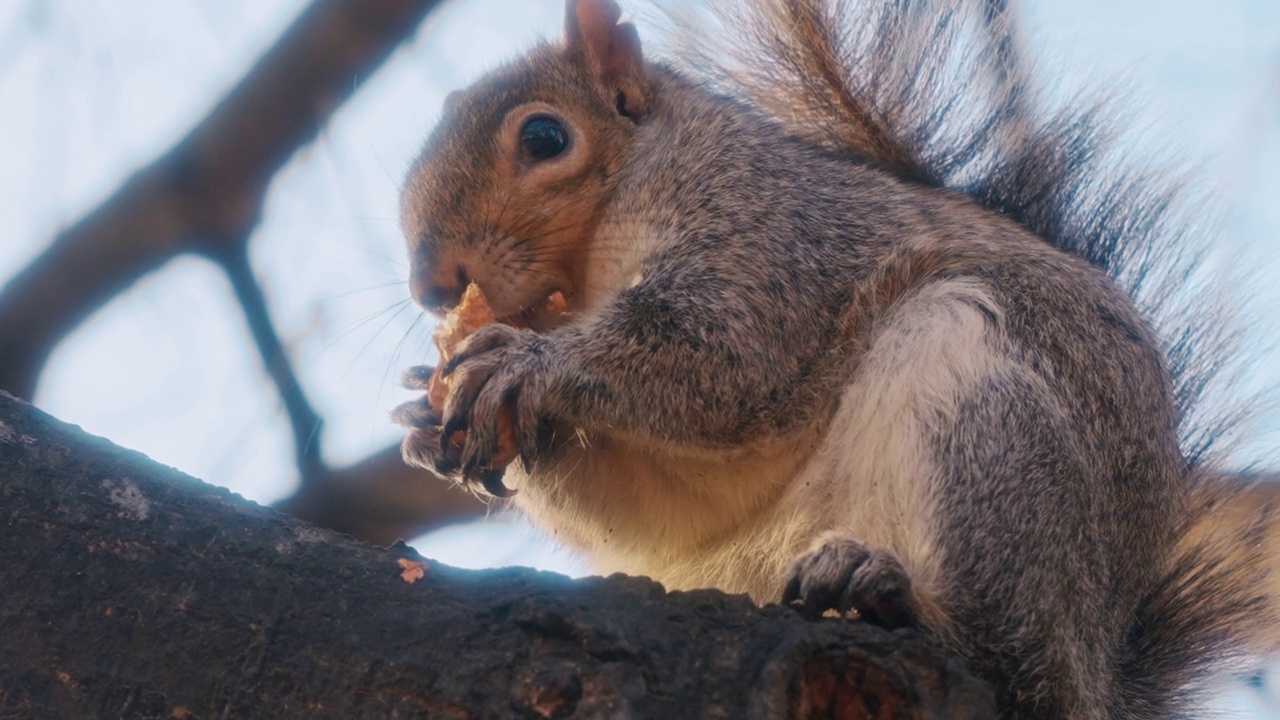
843,575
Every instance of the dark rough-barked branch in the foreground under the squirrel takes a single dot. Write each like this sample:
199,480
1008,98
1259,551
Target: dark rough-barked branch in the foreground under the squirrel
132,591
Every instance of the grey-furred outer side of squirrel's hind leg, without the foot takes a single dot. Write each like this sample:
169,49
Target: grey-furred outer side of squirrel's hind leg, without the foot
1025,521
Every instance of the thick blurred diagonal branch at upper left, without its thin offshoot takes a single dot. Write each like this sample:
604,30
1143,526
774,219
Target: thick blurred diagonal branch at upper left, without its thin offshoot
207,193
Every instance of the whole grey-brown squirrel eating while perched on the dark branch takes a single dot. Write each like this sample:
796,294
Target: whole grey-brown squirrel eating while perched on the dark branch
852,325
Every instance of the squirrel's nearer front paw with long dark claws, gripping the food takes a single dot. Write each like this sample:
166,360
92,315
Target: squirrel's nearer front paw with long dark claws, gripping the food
499,379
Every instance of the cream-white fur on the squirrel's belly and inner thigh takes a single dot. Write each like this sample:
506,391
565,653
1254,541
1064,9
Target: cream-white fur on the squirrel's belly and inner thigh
738,521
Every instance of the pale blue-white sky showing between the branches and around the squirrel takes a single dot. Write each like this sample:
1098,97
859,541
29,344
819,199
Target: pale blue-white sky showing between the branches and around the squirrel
90,89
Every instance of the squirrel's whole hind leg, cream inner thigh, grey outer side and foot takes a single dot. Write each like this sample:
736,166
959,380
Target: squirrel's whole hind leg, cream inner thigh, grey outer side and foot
963,500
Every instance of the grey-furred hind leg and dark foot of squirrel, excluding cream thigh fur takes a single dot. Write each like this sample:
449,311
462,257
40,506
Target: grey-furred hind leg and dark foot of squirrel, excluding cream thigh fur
1032,595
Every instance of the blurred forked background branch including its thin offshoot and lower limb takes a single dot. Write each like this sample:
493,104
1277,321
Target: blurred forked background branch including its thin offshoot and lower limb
205,195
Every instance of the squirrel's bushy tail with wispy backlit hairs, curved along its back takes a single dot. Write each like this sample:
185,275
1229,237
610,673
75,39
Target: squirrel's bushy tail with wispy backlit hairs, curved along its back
938,92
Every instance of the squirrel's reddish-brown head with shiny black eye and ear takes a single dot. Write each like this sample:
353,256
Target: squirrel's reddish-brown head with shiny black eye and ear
511,183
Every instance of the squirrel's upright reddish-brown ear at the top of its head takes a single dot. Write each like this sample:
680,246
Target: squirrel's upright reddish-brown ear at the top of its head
611,49
